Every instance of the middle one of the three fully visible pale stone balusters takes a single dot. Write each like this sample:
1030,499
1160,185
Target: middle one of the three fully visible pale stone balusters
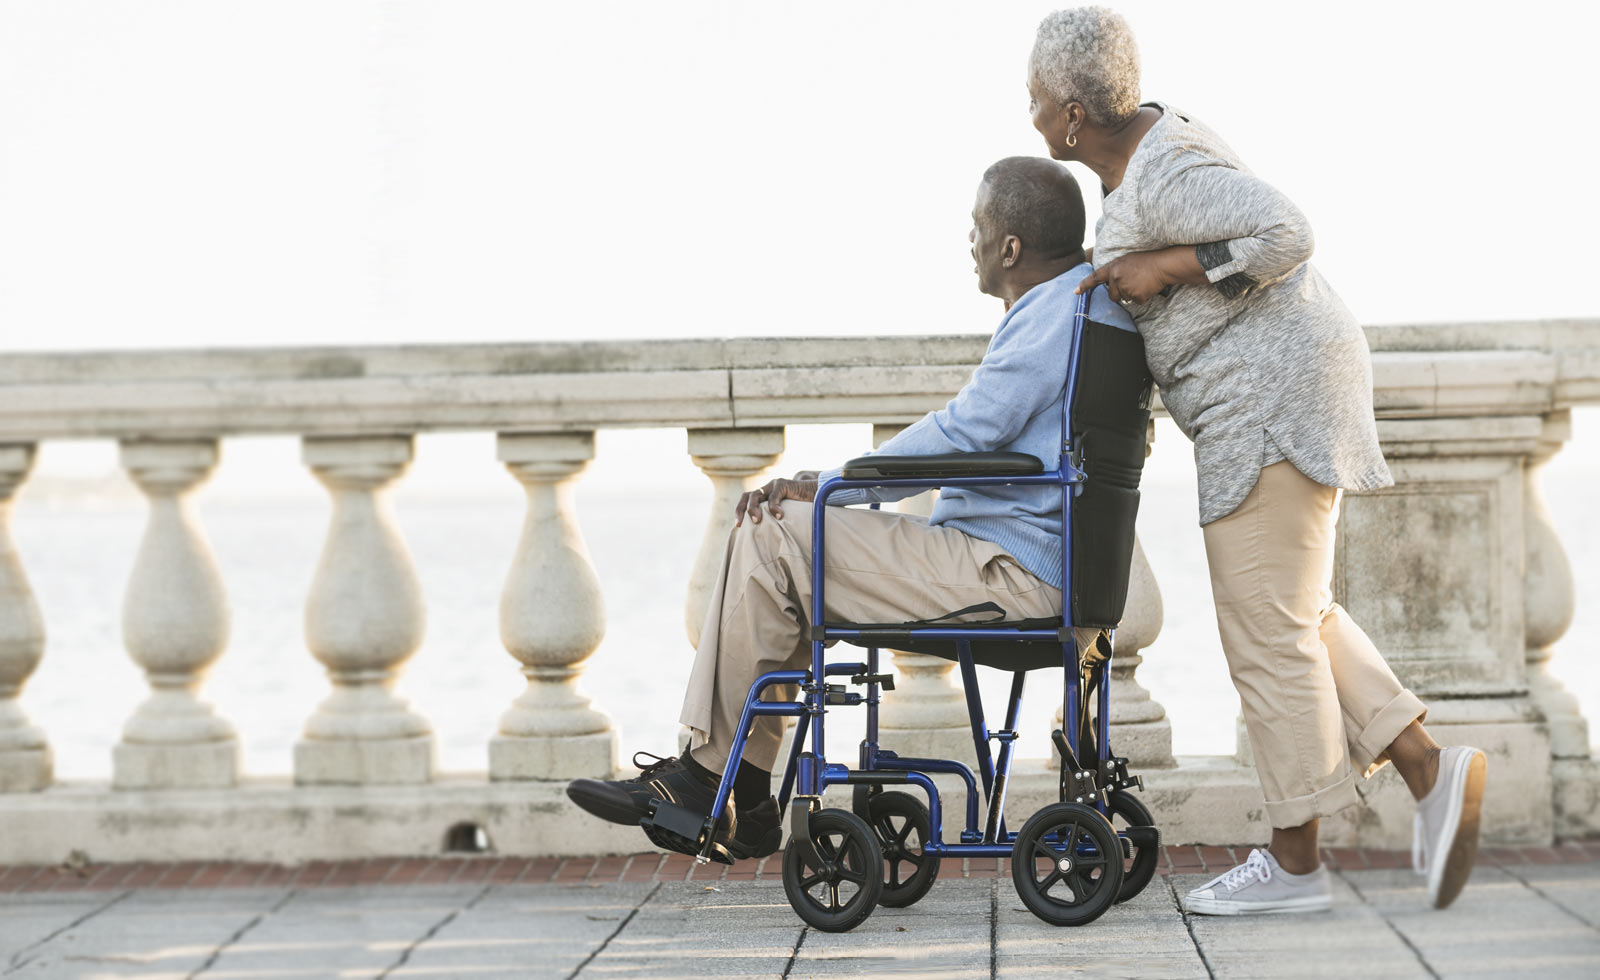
364,621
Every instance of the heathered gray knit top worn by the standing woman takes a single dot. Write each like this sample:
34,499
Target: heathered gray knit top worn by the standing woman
1265,363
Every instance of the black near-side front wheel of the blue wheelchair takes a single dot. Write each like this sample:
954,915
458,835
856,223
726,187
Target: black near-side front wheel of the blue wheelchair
841,896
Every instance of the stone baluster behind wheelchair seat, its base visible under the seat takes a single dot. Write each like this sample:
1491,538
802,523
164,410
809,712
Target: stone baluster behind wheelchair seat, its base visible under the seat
926,715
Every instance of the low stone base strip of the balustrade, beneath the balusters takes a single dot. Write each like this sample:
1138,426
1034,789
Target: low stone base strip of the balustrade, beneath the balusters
1204,800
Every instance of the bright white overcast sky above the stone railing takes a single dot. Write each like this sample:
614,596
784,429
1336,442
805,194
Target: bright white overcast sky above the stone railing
220,174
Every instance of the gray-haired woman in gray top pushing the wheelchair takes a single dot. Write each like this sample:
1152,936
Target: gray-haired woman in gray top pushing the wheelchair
1266,371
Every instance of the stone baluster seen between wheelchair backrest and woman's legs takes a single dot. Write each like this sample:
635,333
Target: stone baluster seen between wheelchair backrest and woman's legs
1140,729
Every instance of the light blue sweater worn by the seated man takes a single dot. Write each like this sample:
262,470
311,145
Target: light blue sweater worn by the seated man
1010,404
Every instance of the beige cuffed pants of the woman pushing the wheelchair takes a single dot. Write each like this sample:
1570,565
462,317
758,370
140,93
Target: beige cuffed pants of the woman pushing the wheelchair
1319,701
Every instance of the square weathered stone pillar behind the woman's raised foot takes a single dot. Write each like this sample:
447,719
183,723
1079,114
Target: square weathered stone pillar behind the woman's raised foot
1433,569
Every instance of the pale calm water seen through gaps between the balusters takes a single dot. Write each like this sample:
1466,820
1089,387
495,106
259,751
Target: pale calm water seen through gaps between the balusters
642,545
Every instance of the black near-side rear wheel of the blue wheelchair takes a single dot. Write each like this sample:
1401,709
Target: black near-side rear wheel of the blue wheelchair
1066,866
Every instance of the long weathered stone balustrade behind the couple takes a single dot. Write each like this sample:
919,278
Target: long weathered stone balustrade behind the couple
1458,569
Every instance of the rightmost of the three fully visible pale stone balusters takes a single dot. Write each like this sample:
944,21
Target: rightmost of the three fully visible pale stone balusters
553,617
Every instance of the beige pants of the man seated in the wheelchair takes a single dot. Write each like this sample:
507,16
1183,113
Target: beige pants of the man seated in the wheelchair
882,568
